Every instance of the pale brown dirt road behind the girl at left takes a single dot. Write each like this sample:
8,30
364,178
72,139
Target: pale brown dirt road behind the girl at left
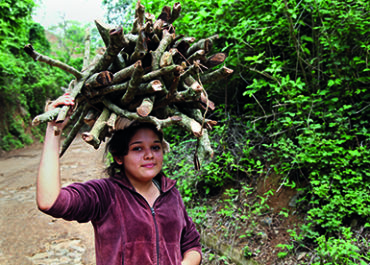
29,236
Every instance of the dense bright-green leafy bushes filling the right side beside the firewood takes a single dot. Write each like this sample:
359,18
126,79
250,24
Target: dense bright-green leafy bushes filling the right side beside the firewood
302,67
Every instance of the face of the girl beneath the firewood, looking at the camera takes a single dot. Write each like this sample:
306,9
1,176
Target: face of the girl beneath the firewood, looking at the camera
144,158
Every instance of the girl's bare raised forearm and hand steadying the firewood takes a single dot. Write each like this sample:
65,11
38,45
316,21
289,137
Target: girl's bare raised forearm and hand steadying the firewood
48,179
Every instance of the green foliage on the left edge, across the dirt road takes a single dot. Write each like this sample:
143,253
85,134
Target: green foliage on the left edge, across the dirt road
24,84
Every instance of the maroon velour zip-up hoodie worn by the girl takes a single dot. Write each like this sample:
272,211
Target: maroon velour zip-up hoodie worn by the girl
127,229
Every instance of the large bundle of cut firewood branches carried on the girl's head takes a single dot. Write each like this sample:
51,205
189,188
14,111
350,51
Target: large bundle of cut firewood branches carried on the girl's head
151,74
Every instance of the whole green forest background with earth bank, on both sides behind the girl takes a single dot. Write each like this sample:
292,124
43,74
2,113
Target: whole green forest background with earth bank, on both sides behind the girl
293,119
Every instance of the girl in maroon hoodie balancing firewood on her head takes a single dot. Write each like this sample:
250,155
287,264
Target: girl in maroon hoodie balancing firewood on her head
137,213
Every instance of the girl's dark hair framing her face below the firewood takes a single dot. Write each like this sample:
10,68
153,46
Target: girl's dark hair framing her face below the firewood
118,144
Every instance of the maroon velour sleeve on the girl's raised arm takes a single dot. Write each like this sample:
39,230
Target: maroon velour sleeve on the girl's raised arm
83,202
